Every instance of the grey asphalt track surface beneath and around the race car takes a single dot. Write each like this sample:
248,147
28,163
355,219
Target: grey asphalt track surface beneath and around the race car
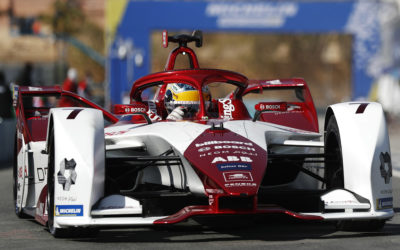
226,233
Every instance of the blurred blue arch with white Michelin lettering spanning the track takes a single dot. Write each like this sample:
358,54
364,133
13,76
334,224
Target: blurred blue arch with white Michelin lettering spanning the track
358,18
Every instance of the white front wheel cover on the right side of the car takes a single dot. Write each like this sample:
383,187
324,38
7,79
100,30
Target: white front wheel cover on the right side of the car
364,137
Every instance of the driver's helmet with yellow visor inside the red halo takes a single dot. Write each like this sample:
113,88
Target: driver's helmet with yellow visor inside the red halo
181,94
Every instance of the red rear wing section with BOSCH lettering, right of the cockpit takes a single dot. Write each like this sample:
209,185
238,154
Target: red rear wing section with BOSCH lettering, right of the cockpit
299,108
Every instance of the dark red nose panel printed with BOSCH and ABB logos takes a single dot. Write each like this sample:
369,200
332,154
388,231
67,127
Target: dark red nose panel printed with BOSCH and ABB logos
231,161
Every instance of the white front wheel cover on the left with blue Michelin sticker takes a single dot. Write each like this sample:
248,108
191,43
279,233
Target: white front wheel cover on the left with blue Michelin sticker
82,140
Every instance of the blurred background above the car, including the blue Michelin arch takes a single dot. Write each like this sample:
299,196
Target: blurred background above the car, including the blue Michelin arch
345,49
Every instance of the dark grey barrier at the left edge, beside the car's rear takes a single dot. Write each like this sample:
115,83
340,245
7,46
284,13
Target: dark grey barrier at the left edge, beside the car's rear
7,133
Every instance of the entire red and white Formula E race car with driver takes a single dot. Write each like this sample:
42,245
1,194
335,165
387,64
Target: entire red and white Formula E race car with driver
195,142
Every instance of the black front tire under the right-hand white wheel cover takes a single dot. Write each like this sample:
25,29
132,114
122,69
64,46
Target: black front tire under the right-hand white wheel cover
334,176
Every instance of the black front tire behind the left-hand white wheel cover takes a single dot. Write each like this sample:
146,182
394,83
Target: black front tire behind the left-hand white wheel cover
56,232
